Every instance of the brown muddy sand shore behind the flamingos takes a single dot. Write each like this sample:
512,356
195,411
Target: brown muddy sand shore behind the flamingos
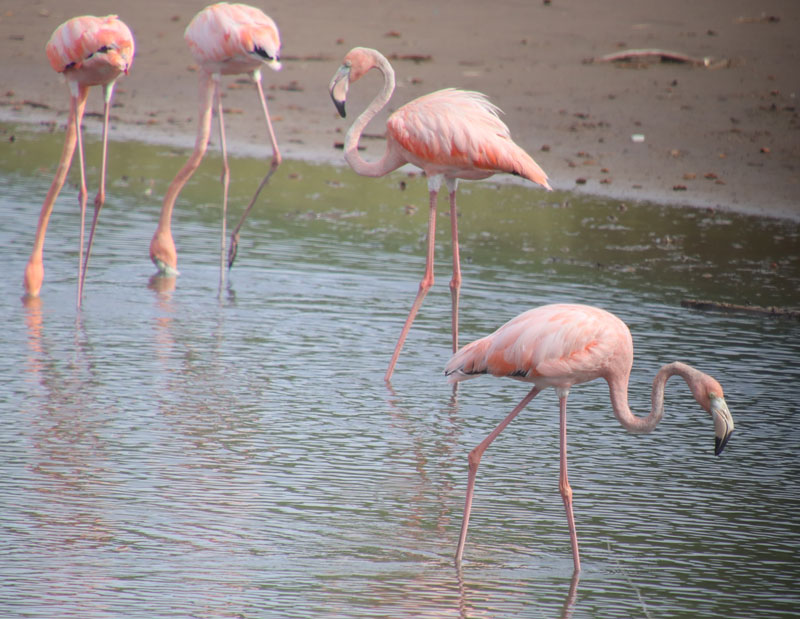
725,135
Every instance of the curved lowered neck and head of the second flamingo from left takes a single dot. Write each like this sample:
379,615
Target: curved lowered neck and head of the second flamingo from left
162,246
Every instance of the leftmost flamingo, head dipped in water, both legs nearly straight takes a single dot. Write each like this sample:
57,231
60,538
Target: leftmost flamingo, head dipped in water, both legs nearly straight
88,51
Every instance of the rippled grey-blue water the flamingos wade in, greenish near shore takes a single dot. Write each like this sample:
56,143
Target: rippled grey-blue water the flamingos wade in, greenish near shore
171,453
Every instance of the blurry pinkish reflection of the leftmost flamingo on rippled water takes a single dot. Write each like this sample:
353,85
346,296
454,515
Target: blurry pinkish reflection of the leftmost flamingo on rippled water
66,466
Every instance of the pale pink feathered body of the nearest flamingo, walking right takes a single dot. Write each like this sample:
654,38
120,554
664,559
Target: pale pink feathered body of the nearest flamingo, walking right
554,345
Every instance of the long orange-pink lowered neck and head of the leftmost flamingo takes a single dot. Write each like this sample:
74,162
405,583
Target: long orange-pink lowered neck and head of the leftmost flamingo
34,271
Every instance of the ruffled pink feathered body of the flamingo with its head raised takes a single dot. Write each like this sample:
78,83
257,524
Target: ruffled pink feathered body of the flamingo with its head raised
451,131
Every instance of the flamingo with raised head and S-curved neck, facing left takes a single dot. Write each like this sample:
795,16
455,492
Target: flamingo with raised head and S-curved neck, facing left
449,134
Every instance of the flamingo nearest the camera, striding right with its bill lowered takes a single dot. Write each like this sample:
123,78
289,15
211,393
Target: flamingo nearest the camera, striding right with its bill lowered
563,345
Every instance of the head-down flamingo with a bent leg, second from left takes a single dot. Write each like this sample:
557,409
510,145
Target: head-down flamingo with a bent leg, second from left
224,39
